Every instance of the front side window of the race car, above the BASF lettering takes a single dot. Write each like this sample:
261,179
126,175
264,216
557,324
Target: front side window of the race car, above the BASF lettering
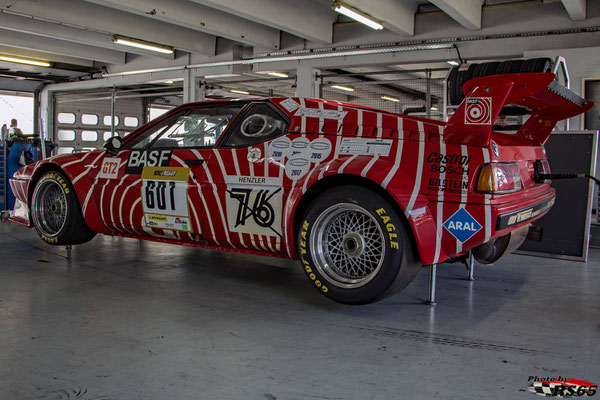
198,127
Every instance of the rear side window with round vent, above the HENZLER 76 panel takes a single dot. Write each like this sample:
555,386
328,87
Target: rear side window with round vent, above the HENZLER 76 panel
259,123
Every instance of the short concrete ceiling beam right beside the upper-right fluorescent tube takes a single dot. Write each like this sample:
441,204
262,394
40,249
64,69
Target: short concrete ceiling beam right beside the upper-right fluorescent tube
397,16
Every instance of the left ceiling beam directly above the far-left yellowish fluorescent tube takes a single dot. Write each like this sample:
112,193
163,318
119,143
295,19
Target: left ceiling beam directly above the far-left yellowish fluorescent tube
70,49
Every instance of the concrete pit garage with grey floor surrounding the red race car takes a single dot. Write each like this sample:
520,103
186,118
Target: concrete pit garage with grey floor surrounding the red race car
120,318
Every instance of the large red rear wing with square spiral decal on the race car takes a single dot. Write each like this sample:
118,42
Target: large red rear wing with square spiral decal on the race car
548,101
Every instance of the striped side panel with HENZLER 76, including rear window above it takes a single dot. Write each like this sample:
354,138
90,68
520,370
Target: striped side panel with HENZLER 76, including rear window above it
243,185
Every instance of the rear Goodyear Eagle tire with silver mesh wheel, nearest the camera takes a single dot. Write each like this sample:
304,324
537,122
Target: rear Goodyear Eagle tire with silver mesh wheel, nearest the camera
354,246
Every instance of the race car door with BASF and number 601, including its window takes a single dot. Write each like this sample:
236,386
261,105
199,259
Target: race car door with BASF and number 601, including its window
151,188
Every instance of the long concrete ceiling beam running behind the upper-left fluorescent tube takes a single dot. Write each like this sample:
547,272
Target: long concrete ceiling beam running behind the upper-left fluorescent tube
49,29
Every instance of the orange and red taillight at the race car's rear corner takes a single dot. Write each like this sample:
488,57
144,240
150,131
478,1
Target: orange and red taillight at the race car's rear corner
499,178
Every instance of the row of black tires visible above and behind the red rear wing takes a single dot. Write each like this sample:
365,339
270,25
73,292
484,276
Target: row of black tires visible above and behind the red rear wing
461,74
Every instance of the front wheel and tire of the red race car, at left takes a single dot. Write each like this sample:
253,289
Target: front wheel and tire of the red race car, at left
56,212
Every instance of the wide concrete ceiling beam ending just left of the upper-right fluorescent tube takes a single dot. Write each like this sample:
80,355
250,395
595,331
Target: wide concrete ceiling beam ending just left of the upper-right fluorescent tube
303,20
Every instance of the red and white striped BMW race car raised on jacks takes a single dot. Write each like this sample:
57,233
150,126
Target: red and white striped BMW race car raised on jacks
362,197
